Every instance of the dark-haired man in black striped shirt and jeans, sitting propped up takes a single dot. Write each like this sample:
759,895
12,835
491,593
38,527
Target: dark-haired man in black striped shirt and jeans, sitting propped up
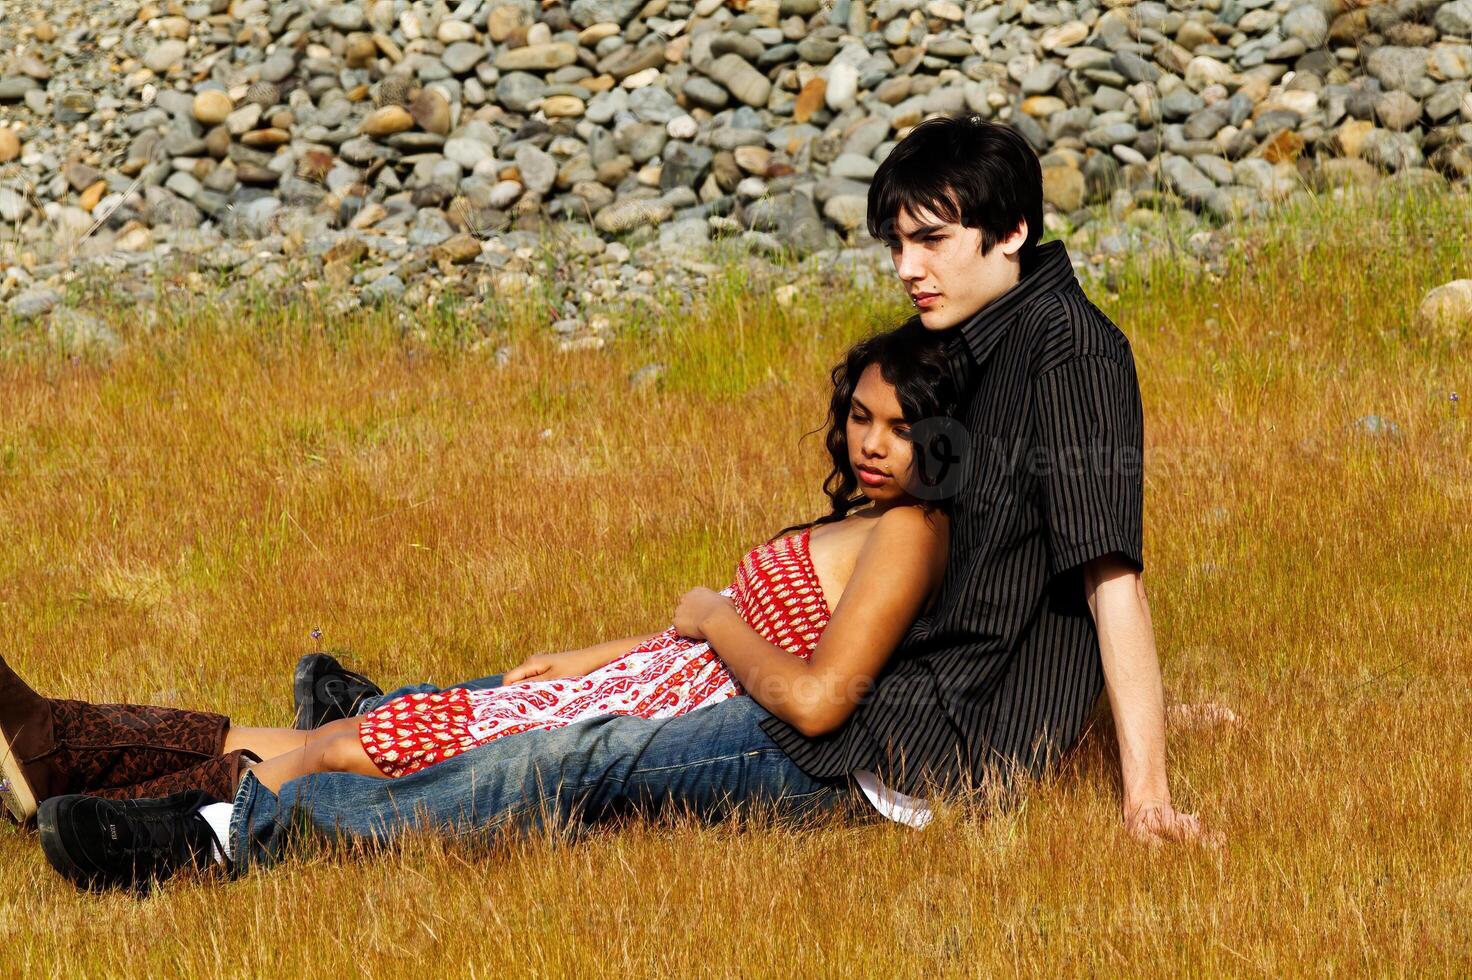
1041,607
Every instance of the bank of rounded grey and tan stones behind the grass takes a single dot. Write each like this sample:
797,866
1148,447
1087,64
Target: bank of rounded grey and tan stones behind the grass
422,135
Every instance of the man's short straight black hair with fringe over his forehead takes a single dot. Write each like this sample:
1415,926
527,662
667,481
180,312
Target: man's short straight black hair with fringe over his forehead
963,170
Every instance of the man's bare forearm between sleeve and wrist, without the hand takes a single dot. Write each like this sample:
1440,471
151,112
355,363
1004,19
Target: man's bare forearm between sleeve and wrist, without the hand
1136,694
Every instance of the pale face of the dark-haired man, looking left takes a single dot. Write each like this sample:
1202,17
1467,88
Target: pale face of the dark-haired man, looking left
944,271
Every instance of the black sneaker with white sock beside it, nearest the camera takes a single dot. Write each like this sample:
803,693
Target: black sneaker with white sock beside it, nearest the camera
110,844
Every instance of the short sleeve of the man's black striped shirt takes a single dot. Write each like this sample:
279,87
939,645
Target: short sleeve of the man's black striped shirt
1090,461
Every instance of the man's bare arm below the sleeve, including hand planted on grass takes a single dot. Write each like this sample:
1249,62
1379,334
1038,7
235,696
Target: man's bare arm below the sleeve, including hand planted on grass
1121,611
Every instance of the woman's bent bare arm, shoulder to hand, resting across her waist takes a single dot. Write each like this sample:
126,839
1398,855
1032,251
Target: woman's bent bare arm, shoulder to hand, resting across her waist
899,567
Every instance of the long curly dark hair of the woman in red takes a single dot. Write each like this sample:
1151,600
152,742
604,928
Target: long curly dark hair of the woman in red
910,358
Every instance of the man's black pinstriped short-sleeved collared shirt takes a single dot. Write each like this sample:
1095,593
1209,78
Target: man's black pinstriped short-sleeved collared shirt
1005,669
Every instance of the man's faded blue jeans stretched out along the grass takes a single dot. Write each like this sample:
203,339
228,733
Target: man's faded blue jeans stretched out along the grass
709,763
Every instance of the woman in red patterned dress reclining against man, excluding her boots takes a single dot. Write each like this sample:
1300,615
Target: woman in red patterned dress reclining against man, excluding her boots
813,580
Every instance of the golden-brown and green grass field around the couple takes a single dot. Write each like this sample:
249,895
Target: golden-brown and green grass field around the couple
177,520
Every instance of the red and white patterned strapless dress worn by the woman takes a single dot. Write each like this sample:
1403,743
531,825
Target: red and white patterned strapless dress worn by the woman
776,592
